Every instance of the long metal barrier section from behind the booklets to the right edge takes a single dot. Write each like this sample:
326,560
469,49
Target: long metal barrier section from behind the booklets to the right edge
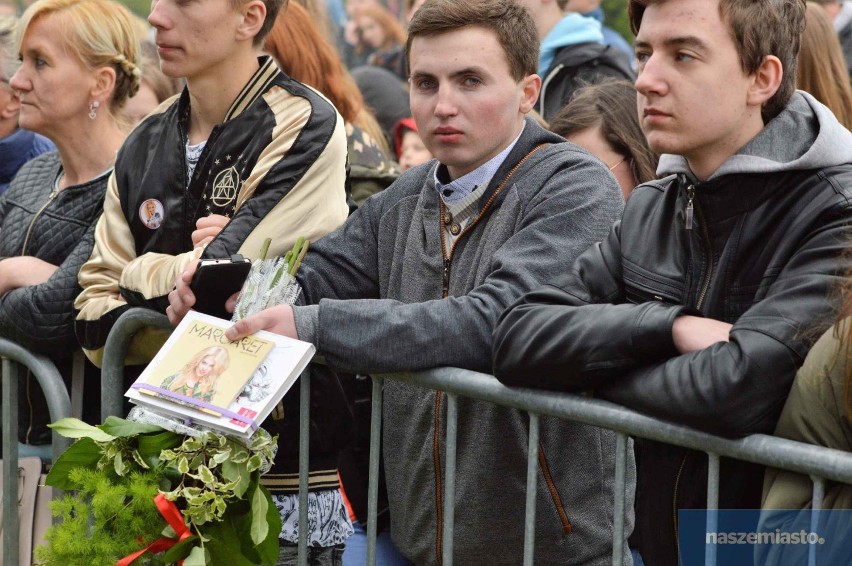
818,462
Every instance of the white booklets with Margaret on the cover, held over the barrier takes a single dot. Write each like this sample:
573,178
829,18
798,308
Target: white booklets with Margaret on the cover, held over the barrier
201,376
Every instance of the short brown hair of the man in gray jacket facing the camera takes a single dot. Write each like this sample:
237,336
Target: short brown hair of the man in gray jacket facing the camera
511,23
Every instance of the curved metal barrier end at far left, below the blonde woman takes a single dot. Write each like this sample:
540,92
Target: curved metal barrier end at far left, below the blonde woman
16,359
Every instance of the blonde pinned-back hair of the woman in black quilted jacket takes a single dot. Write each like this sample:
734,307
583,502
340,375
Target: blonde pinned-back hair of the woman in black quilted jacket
100,33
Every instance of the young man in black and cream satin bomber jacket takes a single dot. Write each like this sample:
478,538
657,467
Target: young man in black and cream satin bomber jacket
242,154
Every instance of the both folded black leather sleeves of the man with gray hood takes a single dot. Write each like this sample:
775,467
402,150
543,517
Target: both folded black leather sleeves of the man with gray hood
555,338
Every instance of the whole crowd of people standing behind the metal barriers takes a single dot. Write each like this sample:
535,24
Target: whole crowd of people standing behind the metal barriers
504,186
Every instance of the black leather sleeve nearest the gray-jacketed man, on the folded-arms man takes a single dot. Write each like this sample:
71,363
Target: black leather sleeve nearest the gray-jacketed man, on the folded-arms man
579,333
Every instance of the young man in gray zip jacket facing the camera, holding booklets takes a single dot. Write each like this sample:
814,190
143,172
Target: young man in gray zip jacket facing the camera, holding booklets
418,276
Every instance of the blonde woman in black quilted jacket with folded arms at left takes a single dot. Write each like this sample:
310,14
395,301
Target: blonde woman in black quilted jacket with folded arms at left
78,67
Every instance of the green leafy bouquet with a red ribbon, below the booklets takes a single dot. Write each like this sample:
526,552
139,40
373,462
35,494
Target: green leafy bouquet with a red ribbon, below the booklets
209,490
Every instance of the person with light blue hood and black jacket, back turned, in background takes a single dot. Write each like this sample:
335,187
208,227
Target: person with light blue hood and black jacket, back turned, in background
572,54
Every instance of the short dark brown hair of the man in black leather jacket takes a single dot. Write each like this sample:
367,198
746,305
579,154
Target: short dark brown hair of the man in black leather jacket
758,28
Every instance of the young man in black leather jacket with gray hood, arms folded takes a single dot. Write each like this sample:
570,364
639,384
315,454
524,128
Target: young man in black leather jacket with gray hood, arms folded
704,299
